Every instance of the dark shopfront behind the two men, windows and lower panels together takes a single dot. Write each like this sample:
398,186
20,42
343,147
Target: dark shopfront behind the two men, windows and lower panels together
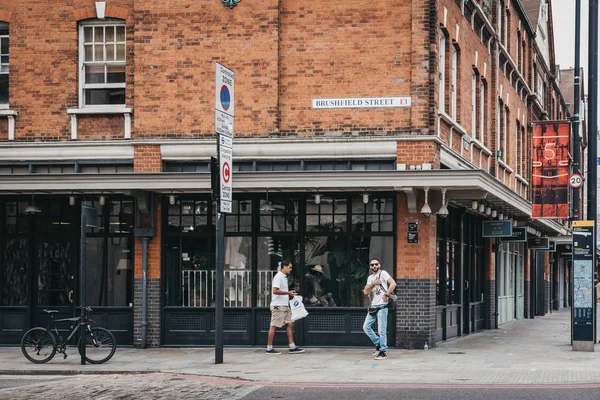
329,238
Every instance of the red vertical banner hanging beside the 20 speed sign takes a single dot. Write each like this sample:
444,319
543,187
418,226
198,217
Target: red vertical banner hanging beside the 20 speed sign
550,170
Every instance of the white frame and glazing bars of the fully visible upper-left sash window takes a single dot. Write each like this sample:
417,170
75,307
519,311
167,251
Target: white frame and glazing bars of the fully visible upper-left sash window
83,86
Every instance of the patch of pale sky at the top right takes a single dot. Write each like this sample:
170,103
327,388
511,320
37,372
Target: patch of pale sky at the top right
563,15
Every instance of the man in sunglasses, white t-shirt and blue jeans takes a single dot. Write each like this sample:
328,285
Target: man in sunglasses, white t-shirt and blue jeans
379,287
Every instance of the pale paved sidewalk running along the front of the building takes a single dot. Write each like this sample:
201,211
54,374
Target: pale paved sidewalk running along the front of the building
522,352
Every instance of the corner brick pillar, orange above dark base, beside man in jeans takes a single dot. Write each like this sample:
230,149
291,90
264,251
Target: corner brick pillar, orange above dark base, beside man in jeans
416,274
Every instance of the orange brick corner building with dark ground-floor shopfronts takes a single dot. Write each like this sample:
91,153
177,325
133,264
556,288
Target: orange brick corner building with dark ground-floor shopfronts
353,121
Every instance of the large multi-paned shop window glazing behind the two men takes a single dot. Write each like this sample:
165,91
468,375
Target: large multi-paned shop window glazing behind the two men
329,248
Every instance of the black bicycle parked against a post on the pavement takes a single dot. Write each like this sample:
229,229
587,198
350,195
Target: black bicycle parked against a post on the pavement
39,345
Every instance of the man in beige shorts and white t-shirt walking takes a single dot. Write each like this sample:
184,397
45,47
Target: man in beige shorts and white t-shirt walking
281,315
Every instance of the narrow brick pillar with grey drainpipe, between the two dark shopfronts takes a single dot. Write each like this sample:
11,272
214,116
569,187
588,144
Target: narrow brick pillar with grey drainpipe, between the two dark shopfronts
147,158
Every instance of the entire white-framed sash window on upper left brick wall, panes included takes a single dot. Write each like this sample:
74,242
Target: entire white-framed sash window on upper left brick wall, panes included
102,63
